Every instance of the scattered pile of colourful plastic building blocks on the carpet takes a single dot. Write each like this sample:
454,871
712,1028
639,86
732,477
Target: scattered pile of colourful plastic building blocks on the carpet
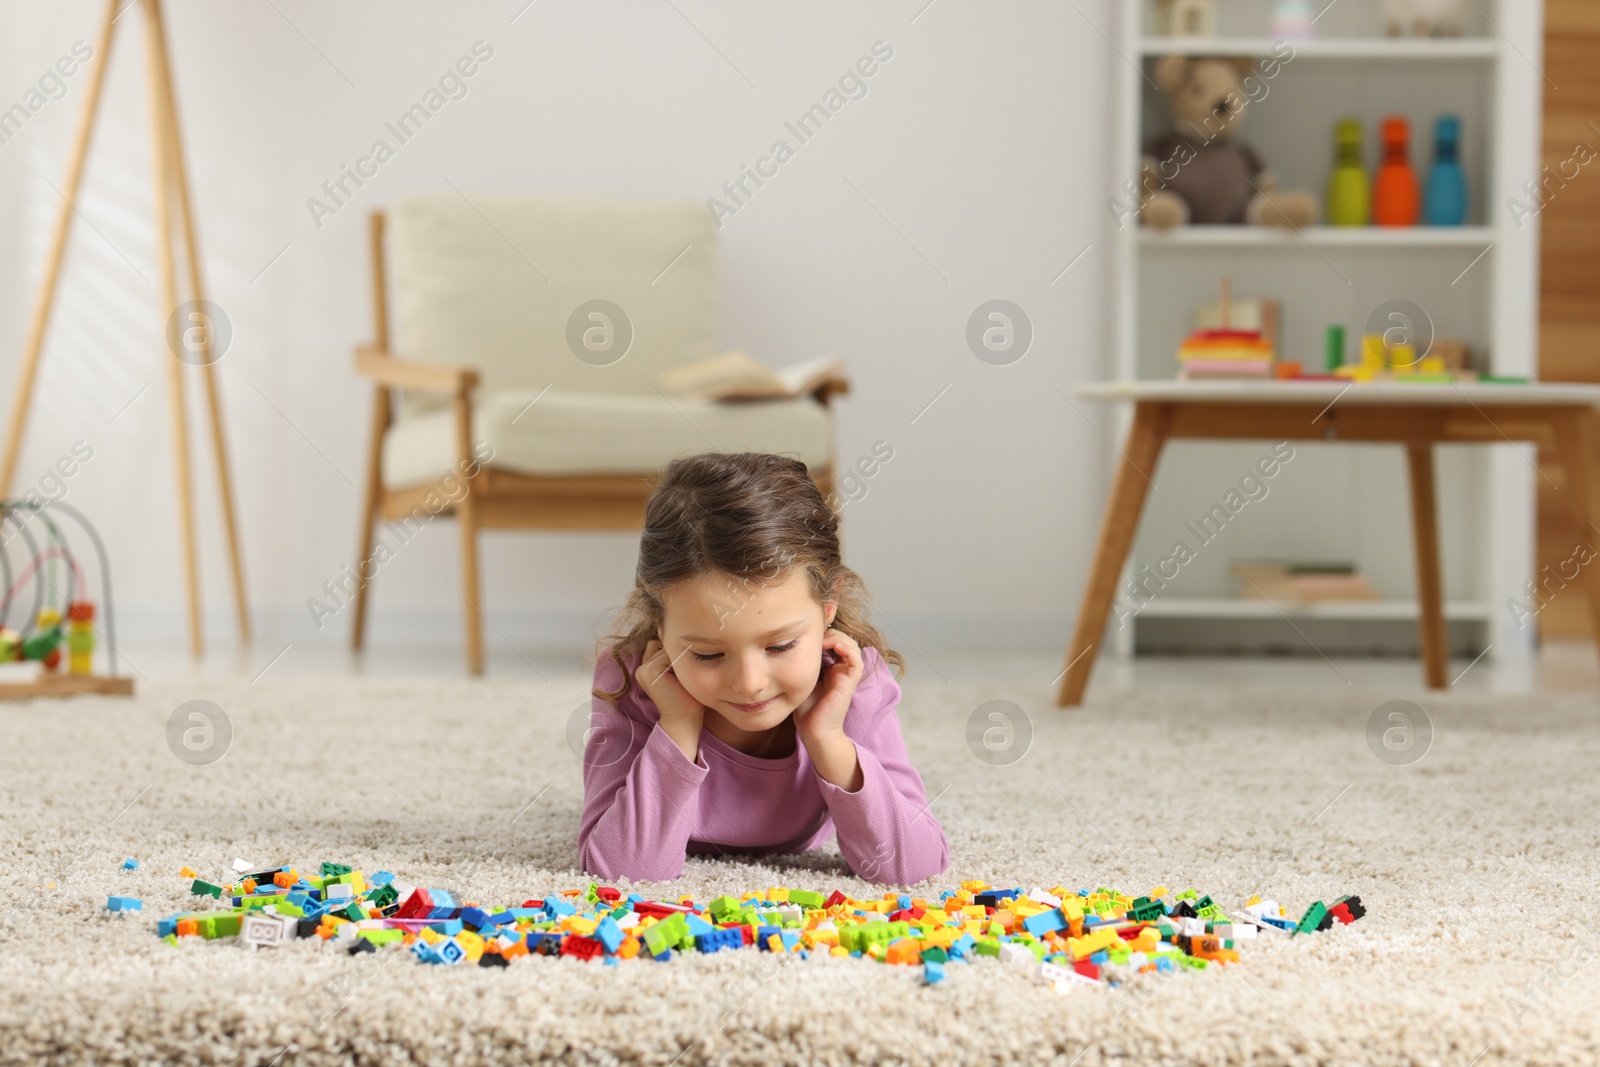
1066,938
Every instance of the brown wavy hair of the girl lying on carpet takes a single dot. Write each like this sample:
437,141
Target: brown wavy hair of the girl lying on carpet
753,518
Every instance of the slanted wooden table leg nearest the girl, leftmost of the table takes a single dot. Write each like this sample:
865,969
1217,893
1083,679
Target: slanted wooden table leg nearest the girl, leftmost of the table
1140,455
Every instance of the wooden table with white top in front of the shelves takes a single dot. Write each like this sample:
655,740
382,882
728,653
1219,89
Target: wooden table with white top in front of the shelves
1417,417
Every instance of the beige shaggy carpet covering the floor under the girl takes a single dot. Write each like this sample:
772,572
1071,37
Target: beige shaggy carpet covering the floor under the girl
1478,868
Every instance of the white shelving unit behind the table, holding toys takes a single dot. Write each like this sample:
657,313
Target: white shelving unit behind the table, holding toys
1476,282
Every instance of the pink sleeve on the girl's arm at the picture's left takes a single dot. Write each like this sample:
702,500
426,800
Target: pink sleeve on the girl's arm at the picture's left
639,788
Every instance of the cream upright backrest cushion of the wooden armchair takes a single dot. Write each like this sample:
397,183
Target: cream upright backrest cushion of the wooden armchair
492,286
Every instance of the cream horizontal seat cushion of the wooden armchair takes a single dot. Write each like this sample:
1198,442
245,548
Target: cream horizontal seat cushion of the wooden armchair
575,433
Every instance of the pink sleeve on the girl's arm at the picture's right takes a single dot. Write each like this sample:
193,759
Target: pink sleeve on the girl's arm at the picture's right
887,829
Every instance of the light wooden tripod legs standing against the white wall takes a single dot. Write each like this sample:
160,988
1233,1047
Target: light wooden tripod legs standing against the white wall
170,185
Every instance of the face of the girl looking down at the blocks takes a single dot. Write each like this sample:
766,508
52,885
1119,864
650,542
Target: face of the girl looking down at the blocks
751,653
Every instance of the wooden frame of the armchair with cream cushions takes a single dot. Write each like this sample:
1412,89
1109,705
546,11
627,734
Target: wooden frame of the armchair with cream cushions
495,500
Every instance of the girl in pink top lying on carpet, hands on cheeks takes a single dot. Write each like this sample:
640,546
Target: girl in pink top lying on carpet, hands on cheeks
746,706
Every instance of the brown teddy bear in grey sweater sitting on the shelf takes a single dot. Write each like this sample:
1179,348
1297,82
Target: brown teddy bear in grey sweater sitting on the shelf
1201,172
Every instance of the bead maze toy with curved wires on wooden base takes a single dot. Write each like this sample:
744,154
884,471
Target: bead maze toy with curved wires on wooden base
50,649
